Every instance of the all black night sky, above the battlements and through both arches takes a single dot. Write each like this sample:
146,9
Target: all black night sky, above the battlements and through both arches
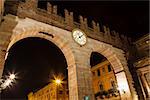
35,60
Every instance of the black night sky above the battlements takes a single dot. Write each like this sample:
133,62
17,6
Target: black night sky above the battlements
126,17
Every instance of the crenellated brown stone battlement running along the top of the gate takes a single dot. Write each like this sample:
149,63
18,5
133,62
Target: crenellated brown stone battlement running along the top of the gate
50,16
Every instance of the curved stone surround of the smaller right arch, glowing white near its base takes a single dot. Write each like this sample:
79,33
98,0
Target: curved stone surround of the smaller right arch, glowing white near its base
117,59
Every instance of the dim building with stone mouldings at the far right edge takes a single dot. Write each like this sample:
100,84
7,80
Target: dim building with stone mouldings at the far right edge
142,64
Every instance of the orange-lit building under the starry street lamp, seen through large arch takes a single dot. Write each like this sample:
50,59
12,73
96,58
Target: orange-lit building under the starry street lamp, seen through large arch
50,92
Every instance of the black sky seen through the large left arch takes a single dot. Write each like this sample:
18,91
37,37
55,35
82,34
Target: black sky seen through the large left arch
35,60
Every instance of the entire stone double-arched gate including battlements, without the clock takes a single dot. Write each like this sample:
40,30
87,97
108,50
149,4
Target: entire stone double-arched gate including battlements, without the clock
34,22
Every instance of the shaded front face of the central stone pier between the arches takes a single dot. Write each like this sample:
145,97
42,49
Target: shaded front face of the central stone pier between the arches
84,82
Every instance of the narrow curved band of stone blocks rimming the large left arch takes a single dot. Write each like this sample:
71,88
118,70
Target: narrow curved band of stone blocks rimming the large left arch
56,40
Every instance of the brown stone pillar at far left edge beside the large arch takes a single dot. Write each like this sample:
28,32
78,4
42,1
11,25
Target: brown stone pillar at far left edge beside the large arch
6,29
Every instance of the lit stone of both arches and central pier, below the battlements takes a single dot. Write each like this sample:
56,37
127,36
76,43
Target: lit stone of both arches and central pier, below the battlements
77,57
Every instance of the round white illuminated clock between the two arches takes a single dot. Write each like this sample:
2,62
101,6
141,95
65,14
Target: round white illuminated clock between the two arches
79,37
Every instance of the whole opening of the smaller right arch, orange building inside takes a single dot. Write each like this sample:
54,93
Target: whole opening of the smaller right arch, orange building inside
103,78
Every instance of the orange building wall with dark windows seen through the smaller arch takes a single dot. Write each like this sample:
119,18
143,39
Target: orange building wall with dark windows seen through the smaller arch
103,78
